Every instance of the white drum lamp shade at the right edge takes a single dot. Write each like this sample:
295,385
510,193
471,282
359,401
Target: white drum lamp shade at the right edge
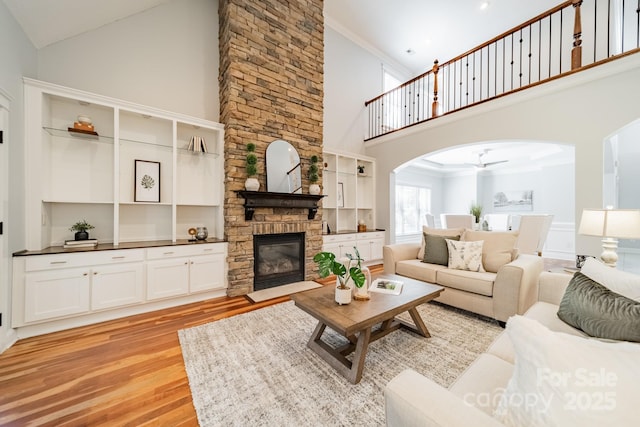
617,223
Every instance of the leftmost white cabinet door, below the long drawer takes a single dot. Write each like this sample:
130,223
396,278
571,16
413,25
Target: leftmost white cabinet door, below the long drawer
51,294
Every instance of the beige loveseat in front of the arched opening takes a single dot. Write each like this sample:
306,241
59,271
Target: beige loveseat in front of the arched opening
505,285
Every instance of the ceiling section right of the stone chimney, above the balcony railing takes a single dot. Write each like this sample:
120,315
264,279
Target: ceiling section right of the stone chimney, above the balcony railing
413,33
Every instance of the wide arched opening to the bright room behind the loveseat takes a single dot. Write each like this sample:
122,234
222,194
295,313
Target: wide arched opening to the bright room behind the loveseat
450,180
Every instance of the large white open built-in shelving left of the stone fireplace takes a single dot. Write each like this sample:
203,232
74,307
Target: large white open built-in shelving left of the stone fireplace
70,176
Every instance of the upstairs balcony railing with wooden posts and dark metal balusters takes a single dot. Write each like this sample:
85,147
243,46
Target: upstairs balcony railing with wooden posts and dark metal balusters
573,36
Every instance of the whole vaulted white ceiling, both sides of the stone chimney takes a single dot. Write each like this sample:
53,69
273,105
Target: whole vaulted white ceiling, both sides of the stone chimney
429,29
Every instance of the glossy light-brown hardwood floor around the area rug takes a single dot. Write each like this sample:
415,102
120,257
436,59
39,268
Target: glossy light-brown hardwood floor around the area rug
126,372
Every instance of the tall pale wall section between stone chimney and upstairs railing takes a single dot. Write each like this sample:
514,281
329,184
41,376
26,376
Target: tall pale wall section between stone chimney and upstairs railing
352,76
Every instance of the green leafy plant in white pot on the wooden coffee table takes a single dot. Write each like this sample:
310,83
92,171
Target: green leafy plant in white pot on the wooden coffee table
344,272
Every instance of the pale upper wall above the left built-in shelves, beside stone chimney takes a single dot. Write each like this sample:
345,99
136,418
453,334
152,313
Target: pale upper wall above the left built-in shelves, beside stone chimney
166,57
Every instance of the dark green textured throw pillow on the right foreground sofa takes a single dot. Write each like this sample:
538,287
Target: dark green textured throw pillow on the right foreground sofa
598,311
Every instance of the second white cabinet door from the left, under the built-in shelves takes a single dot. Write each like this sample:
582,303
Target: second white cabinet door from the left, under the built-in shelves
116,285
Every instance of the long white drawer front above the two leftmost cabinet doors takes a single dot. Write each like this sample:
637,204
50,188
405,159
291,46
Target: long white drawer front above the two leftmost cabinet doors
48,262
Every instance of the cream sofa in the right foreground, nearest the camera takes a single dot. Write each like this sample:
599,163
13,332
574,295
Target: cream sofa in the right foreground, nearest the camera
411,399
